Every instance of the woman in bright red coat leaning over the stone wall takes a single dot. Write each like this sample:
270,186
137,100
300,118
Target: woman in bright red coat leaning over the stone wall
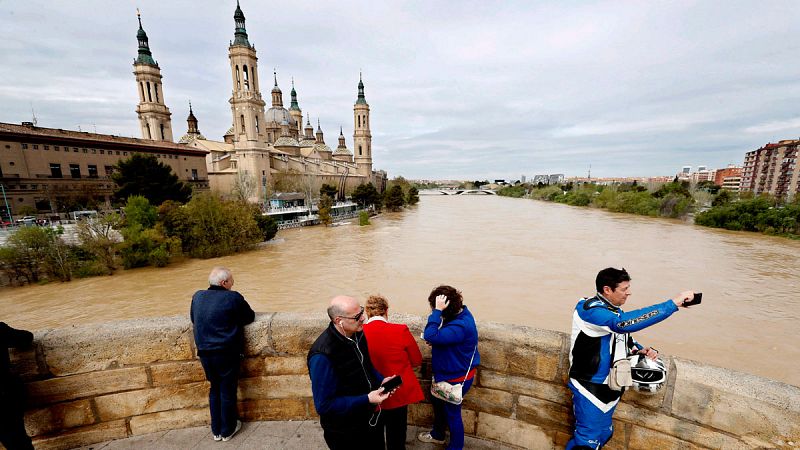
393,351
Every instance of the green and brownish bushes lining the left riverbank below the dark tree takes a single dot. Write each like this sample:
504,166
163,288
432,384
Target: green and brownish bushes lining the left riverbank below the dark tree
205,227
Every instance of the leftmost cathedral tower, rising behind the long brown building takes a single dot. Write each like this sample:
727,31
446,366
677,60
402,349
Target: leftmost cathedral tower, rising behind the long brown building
154,116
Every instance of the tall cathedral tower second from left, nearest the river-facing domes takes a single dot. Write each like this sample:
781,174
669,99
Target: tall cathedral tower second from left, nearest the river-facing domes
247,106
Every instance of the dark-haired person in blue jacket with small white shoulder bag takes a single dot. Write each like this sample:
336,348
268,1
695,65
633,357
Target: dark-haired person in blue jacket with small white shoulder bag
453,336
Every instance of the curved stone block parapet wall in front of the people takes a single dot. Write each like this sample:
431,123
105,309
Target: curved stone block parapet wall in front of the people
95,383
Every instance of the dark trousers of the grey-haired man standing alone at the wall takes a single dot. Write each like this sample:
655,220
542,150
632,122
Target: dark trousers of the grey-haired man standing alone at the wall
222,371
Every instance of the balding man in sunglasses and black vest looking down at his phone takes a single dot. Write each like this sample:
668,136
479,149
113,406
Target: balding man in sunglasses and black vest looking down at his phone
345,385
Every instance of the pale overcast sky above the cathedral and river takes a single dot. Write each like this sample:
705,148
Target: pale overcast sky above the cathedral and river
465,90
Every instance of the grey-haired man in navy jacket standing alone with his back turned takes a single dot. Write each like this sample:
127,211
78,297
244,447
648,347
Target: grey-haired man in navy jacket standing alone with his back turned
219,315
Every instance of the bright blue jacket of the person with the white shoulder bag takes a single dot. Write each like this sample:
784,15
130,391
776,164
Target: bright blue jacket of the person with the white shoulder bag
452,344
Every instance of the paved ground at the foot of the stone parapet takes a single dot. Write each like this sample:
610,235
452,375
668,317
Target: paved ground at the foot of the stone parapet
299,435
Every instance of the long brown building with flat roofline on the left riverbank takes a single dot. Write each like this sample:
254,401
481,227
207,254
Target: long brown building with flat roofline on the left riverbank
55,171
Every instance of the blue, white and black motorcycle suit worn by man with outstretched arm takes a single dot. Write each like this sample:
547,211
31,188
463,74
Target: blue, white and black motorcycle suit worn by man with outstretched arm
600,330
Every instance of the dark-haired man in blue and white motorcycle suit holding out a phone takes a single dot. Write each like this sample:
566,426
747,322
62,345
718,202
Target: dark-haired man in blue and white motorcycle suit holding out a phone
601,345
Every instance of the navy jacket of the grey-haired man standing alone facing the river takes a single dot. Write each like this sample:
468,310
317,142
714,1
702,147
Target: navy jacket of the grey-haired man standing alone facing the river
219,317
